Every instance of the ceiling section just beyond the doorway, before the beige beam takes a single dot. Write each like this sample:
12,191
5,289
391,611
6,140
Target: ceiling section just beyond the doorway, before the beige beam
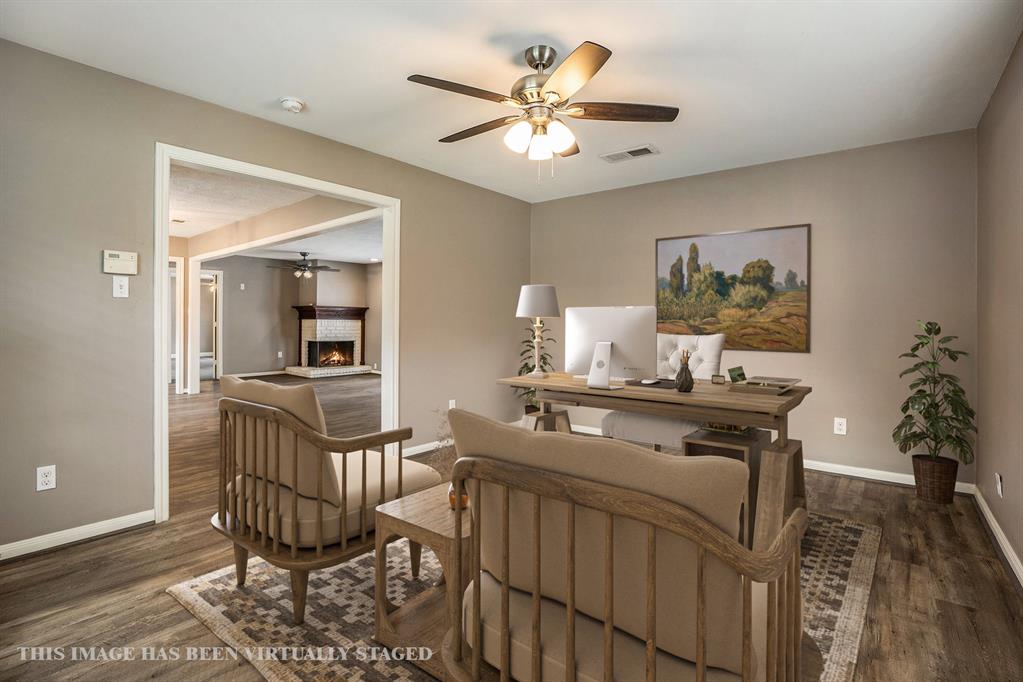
208,200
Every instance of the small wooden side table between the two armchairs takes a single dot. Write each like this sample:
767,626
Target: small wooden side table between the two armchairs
426,519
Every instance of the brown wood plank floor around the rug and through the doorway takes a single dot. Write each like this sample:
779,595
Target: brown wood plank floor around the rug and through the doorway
943,607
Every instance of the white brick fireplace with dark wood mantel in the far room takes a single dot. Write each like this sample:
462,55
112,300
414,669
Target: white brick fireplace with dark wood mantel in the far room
331,324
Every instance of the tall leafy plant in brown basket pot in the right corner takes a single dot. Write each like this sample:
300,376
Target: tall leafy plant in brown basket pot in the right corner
937,416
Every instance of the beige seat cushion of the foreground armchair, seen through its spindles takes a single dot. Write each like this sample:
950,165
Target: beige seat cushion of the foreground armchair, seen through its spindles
630,652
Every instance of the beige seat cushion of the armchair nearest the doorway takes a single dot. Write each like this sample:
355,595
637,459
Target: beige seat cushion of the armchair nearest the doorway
416,477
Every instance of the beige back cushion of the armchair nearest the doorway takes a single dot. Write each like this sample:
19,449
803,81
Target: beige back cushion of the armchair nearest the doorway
302,403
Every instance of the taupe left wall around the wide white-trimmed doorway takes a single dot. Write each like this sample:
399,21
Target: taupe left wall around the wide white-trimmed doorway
88,358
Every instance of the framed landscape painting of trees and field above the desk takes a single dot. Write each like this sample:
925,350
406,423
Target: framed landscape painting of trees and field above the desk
752,287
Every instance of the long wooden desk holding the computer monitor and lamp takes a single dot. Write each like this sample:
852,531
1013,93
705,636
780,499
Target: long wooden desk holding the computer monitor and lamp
781,486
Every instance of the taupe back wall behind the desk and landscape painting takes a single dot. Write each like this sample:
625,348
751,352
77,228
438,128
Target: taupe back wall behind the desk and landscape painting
894,241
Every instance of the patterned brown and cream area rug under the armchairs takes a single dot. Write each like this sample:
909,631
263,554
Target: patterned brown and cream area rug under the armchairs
256,620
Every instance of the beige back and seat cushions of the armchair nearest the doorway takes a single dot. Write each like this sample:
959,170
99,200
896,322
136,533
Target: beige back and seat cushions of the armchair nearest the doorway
302,403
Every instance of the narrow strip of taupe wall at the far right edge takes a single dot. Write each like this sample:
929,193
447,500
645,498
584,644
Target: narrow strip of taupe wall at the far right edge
1000,254
